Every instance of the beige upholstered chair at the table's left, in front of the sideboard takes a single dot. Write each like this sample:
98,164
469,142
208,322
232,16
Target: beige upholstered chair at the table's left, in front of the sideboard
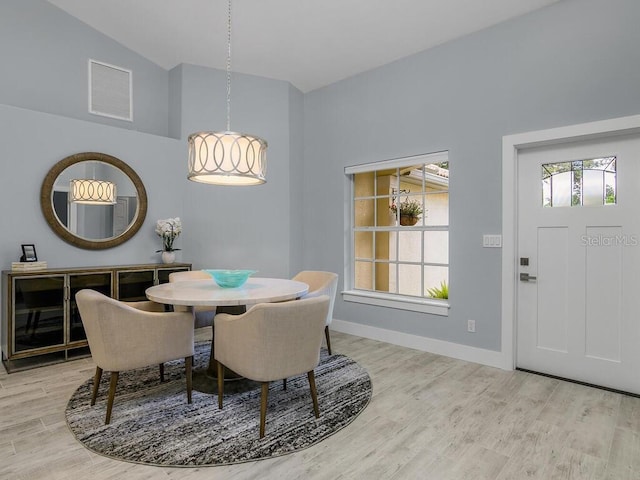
123,337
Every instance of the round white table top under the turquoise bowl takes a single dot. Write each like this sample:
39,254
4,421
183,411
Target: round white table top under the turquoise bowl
207,293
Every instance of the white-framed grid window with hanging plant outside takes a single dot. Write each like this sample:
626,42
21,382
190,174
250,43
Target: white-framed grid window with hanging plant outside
399,233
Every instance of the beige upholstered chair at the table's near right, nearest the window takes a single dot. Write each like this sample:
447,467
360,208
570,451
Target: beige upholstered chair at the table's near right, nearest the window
272,341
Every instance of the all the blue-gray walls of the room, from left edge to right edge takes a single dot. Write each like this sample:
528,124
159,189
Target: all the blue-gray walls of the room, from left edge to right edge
573,62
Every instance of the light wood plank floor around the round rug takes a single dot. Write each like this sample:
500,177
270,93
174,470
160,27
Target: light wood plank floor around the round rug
430,417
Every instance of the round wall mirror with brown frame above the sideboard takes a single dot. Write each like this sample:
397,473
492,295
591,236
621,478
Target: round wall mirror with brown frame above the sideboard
93,200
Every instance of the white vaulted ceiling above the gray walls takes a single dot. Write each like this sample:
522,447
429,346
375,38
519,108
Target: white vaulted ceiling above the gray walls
310,43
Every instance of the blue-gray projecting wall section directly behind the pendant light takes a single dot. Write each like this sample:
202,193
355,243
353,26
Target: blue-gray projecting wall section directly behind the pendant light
238,227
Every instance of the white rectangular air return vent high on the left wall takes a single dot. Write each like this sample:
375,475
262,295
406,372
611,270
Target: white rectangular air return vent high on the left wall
110,91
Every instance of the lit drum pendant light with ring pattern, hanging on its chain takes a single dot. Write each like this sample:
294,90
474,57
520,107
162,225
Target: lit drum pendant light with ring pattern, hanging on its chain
227,158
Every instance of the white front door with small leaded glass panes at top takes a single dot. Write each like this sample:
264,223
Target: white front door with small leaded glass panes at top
579,232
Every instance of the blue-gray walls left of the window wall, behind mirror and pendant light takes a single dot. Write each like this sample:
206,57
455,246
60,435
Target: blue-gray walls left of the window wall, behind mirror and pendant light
222,227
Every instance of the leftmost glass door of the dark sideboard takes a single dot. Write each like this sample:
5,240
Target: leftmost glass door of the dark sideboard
38,312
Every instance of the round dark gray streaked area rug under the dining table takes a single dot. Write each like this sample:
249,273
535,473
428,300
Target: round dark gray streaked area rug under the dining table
152,422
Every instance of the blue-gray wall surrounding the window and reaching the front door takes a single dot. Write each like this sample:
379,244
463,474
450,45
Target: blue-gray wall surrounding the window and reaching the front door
573,62
